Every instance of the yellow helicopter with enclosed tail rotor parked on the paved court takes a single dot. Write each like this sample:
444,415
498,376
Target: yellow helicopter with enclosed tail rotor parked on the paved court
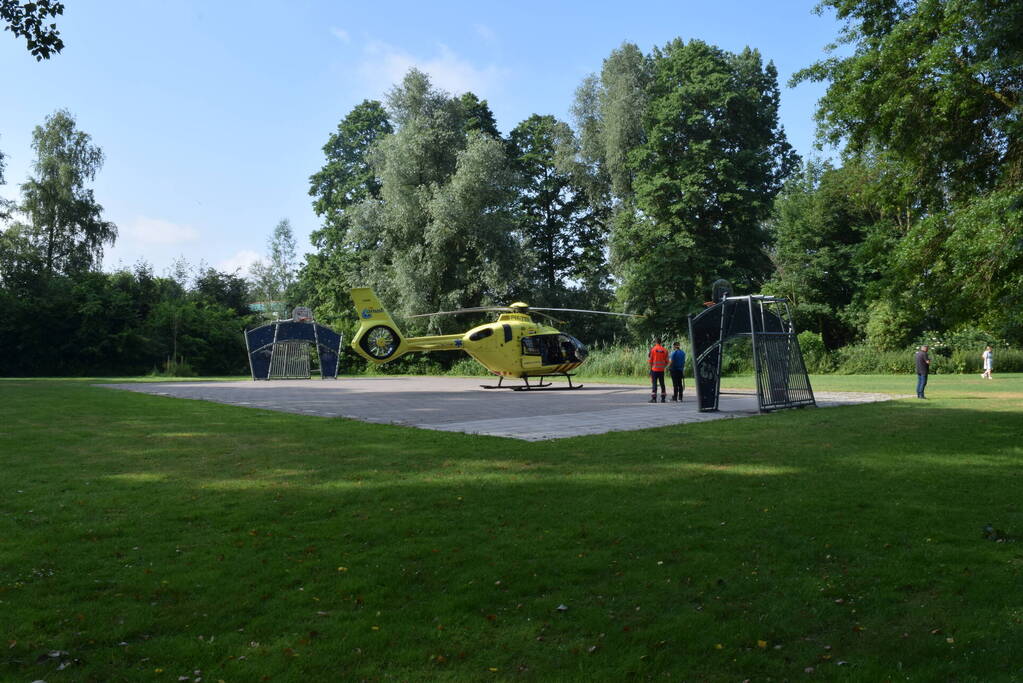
514,346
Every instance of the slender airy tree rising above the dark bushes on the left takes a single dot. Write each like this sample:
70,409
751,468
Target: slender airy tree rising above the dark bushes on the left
66,221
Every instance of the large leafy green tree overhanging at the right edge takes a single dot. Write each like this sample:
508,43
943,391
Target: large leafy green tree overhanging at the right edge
937,87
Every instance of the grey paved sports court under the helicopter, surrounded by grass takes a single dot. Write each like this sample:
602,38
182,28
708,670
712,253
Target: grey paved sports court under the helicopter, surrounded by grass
456,404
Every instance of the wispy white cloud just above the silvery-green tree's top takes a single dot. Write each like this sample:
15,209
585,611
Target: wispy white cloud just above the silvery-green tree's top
384,66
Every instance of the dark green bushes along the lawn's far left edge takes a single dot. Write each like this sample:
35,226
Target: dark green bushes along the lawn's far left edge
128,323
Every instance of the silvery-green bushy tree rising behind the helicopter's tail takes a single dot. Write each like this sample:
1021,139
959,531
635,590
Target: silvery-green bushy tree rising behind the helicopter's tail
442,233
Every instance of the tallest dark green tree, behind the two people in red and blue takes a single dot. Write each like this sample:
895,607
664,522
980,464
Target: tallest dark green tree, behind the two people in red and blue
706,176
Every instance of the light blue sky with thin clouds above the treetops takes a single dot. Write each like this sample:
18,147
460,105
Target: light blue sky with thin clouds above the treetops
213,115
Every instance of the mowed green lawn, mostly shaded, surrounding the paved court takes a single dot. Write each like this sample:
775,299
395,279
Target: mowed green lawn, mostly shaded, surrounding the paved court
149,539
